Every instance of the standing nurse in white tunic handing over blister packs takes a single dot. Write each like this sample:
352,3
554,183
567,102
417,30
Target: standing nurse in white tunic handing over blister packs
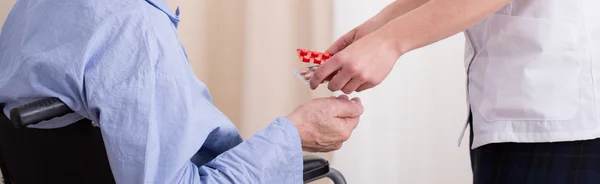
533,79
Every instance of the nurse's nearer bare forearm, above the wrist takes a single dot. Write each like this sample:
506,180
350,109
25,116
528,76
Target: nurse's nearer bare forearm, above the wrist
436,20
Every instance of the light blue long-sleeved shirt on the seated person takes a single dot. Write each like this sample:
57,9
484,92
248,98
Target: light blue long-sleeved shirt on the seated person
119,63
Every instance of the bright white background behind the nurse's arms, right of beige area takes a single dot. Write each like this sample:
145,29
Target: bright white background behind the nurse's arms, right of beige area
411,125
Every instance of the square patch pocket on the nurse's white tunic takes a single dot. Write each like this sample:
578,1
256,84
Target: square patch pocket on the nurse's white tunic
532,69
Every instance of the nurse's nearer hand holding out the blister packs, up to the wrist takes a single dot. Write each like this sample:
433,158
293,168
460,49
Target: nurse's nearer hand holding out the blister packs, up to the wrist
361,65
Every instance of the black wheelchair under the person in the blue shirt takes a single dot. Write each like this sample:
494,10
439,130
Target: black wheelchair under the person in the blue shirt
76,153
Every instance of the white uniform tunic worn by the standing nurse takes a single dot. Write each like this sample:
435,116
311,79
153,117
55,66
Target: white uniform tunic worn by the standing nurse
534,72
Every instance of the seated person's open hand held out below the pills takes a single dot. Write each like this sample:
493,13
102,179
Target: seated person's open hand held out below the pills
324,124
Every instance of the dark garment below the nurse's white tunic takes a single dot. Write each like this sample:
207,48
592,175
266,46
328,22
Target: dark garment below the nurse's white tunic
576,162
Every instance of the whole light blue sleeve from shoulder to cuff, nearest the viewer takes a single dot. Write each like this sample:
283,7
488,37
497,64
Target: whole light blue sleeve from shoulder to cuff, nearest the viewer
157,118
